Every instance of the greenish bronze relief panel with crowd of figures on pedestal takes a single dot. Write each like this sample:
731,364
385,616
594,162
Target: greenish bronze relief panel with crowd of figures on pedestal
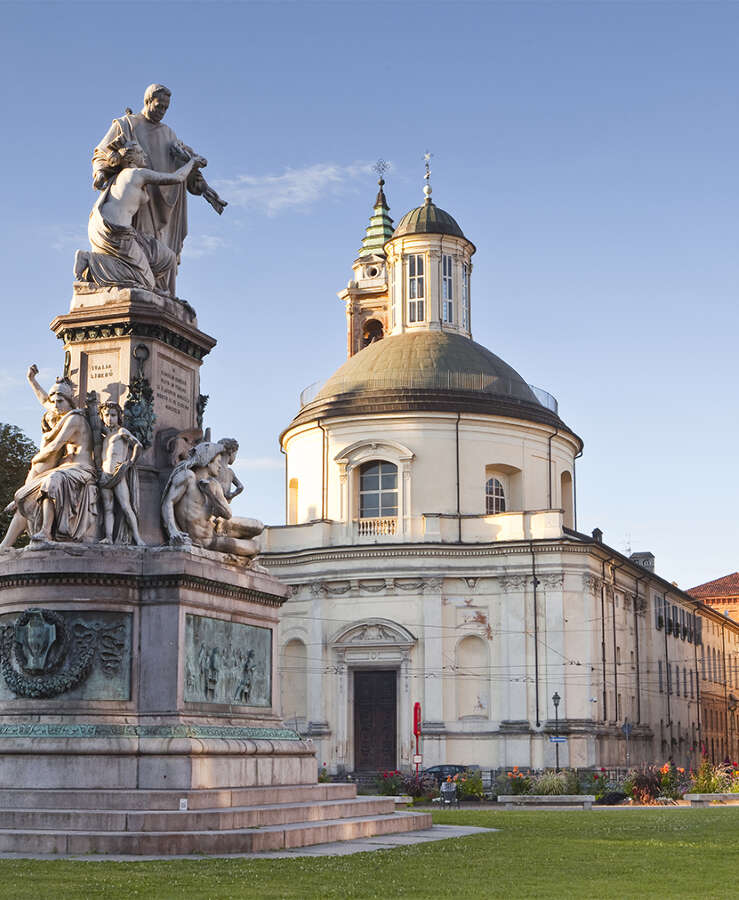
226,662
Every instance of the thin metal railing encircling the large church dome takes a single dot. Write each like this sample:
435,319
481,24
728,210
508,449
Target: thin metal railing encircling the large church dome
456,381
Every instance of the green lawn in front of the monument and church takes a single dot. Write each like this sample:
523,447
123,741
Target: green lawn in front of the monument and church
609,853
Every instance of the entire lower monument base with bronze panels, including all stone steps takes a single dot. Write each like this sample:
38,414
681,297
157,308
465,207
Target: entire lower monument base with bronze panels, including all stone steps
138,711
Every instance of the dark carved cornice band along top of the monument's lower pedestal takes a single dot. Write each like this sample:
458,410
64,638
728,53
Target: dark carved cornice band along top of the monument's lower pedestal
177,581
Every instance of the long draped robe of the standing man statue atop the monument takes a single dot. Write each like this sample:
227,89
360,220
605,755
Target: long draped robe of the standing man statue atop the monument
164,216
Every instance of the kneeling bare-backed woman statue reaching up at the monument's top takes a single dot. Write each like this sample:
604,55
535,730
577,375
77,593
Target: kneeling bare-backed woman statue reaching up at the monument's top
121,255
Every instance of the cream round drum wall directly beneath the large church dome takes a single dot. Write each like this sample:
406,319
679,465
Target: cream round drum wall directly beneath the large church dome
424,447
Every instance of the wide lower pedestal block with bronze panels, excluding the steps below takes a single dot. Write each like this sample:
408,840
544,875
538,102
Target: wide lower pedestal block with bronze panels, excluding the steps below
141,667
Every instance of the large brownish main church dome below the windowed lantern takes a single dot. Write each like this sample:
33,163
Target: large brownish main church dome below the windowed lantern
427,371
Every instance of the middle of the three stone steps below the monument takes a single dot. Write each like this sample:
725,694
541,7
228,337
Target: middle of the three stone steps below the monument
223,819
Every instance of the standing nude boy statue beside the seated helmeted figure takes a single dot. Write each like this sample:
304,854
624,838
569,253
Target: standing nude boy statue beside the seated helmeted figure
118,482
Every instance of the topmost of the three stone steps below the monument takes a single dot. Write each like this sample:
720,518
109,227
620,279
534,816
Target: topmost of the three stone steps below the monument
54,798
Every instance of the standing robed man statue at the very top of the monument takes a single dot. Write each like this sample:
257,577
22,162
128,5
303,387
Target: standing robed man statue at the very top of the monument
164,214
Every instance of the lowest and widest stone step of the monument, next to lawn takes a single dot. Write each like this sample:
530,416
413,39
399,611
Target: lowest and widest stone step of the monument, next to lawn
275,837
